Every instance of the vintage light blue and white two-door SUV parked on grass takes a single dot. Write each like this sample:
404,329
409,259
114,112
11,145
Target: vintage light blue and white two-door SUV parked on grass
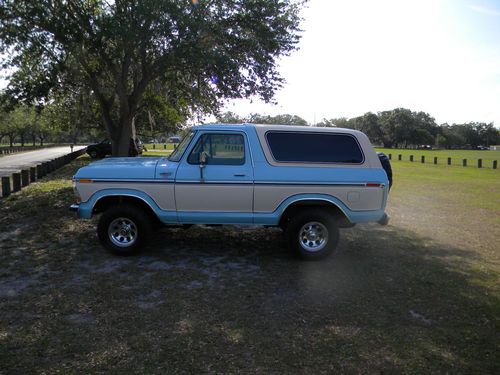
307,180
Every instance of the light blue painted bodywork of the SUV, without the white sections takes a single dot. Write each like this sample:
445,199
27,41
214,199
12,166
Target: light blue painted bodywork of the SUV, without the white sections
255,170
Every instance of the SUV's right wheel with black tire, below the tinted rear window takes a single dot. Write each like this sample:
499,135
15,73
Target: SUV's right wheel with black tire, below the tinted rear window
313,234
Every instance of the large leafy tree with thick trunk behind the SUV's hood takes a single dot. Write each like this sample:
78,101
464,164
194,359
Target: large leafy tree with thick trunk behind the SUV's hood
203,51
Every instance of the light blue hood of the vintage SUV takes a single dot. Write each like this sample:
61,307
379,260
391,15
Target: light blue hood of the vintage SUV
120,168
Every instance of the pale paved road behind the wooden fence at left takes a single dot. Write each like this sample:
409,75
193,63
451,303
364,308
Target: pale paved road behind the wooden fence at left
16,162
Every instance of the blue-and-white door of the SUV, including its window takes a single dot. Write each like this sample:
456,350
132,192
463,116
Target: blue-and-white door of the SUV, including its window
214,182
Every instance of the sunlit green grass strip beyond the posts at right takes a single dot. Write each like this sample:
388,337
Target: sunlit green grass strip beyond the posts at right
457,156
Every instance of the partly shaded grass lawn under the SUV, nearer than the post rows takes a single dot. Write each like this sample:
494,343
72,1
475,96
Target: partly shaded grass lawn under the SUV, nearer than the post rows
421,295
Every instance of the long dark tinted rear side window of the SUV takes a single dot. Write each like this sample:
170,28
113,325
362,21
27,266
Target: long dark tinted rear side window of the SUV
314,147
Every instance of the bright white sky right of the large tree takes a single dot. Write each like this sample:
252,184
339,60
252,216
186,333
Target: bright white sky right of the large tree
355,56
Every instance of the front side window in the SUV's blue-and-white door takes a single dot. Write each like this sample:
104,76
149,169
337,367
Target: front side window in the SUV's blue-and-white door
220,149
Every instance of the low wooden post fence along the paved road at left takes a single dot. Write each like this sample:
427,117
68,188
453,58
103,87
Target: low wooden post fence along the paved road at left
17,180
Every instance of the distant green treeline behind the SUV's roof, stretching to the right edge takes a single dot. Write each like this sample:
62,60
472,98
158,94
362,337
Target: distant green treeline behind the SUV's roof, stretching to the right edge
399,127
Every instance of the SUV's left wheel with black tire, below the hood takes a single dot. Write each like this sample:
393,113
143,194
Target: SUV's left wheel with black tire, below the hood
123,229
